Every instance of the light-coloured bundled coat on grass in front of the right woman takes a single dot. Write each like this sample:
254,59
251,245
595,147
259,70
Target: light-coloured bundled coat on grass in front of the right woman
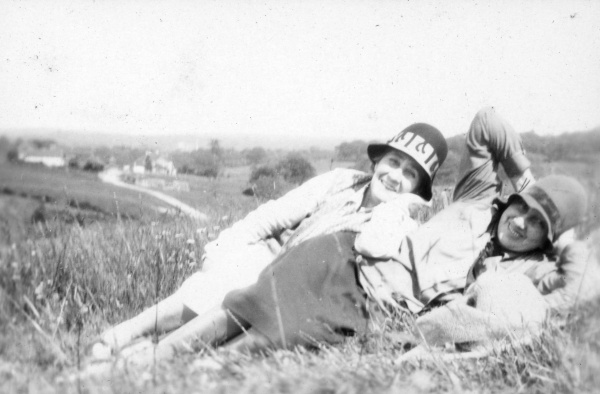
496,308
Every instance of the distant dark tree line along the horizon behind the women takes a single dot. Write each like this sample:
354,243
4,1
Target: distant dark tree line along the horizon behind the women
274,171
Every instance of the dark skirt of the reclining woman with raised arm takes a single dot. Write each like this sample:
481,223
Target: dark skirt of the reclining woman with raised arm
309,295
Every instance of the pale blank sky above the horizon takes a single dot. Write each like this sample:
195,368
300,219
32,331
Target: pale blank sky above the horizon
296,70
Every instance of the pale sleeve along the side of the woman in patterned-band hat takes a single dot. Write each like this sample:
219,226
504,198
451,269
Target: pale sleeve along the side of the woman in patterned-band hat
275,216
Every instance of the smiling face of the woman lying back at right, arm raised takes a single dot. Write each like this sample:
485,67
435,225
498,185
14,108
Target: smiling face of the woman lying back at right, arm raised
521,228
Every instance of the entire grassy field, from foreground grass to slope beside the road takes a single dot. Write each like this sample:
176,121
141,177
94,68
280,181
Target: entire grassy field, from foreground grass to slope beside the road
63,282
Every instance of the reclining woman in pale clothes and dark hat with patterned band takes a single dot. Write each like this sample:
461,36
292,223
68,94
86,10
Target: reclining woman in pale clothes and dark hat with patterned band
340,200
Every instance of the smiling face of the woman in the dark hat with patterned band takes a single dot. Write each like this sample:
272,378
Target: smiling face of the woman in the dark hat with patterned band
395,173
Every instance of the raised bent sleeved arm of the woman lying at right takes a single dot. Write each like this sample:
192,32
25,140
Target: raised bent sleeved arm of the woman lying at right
490,141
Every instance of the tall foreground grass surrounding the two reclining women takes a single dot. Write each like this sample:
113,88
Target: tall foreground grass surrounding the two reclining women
59,292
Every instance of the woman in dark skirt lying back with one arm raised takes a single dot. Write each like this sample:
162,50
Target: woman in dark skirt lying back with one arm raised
322,290
